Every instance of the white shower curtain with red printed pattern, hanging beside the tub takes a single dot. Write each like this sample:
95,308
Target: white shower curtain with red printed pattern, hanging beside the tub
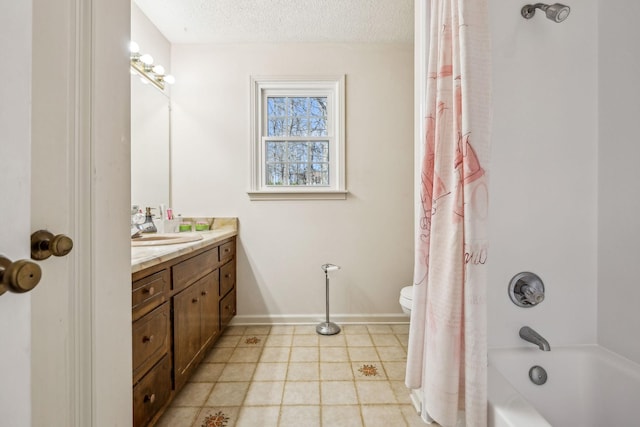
447,357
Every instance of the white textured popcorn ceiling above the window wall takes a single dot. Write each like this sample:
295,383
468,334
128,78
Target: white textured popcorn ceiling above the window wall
237,21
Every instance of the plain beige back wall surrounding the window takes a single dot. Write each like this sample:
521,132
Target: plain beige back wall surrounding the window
283,243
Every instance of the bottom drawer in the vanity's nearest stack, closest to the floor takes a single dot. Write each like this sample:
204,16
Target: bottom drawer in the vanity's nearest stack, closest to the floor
152,392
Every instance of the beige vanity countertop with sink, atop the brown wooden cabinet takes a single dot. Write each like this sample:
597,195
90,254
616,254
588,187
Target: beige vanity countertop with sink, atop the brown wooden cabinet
147,256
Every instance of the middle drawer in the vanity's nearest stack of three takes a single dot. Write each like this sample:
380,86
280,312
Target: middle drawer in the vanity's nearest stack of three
150,340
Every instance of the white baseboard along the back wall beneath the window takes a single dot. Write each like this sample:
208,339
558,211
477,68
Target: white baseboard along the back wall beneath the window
310,319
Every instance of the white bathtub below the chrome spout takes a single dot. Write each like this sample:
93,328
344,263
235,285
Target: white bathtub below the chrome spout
587,386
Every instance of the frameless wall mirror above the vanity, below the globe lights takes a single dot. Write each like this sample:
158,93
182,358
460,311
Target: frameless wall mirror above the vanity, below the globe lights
150,145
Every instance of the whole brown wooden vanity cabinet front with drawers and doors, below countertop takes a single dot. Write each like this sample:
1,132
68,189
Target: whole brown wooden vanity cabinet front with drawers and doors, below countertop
179,309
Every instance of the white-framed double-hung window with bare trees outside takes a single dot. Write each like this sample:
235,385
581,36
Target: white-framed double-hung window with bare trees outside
297,138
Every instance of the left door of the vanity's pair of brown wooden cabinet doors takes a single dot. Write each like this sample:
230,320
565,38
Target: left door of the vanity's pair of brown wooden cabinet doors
186,330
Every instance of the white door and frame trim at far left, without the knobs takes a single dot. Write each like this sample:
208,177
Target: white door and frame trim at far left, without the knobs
64,166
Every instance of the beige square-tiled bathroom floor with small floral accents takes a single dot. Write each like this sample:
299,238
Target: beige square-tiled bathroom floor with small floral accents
280,376
